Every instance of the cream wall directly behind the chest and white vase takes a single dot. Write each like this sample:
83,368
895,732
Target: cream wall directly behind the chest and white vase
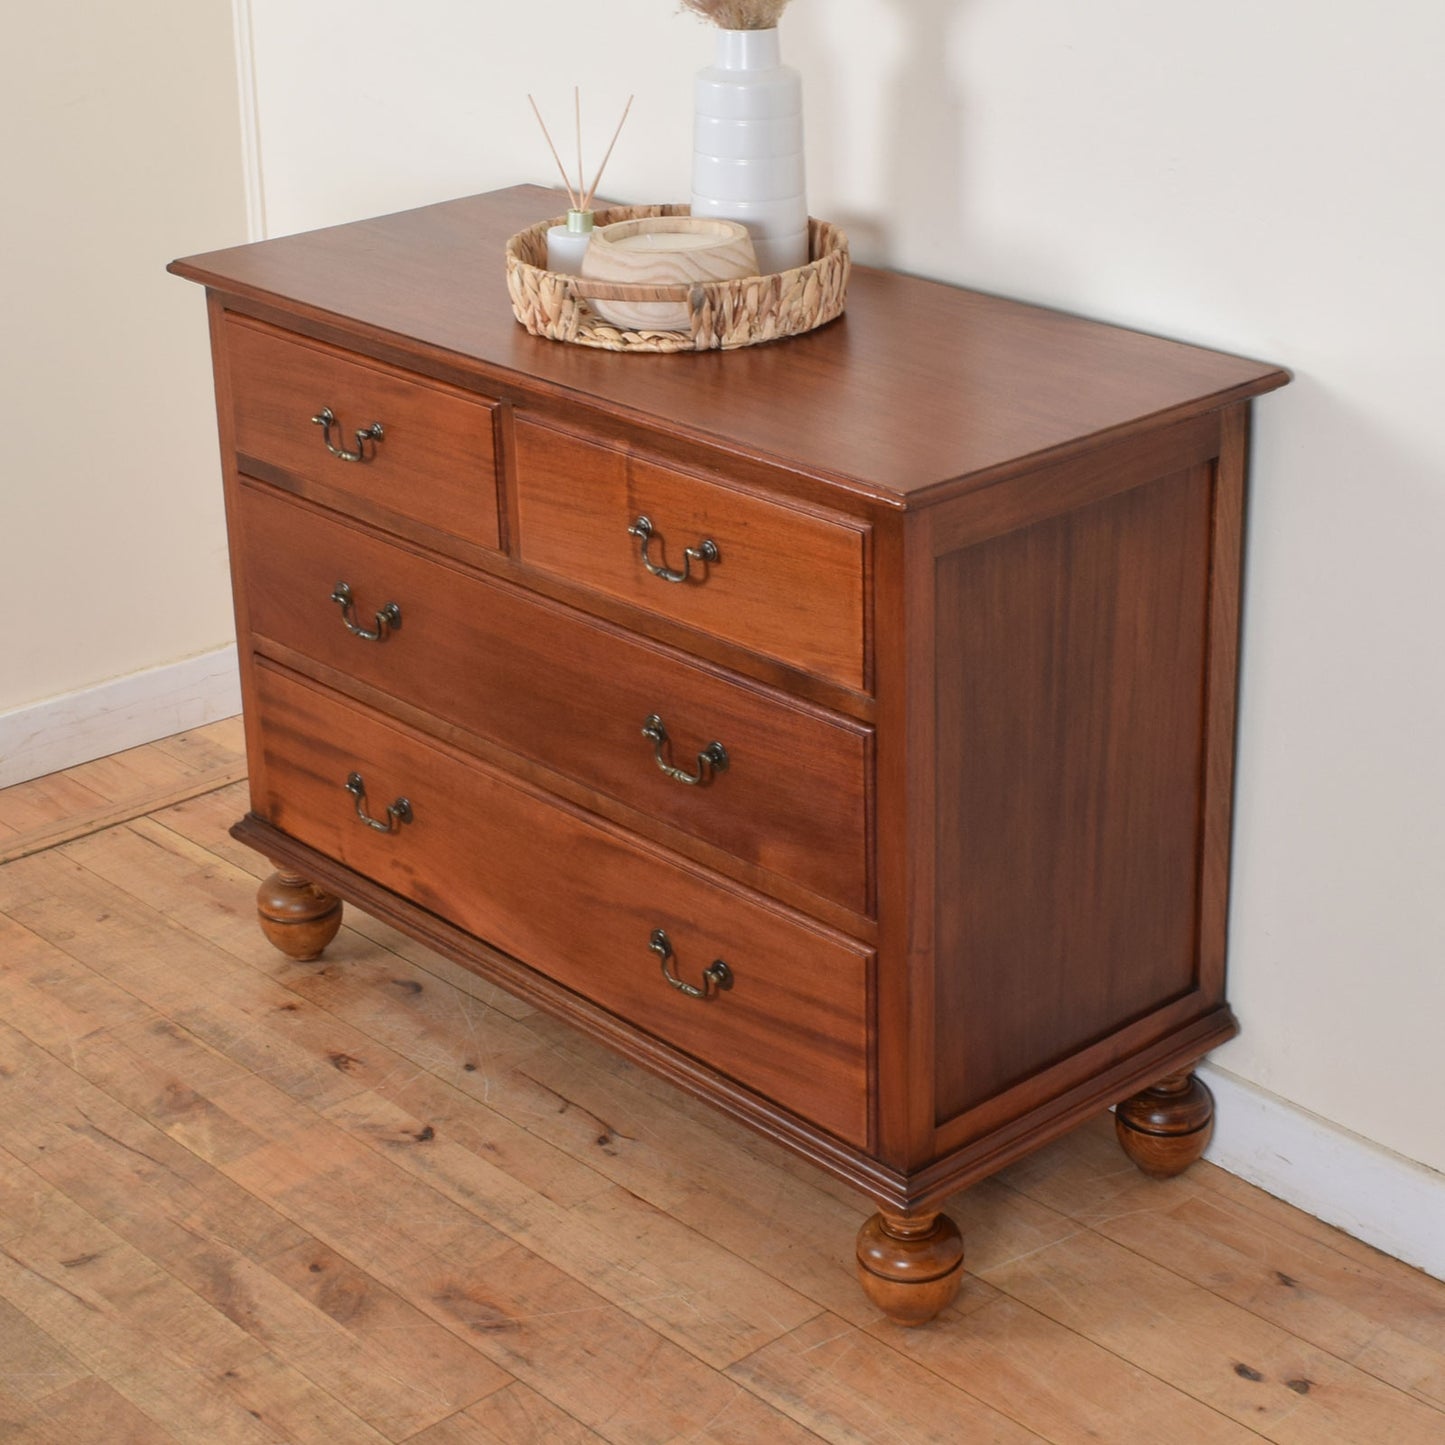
1259,178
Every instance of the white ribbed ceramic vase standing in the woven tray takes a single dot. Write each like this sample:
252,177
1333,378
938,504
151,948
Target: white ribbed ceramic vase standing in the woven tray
748,151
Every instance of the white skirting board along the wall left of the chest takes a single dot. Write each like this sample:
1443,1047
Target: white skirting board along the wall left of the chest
77,728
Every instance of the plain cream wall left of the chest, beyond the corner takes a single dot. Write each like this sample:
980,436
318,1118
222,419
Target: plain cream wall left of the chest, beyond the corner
122,150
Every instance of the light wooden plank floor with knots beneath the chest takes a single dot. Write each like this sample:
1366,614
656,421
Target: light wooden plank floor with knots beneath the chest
375,1200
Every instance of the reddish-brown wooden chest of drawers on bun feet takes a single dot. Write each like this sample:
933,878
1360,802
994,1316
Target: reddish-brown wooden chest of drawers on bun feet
842,729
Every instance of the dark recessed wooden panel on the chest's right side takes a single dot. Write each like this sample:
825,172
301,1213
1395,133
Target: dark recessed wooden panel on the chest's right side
1069,791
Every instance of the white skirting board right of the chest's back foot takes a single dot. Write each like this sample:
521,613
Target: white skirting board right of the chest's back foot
1368,1191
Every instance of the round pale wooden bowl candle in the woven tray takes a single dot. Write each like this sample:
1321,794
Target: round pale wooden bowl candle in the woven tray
665,252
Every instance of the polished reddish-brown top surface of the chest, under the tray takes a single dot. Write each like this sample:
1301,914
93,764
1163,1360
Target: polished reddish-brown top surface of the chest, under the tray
920,391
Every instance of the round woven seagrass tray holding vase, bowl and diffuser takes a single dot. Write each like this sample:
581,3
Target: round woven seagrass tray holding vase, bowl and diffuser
725,314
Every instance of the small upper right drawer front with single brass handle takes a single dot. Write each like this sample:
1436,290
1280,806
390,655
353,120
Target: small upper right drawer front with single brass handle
784,583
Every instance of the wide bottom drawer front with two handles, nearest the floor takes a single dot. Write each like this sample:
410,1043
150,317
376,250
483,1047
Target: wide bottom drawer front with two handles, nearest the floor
577,901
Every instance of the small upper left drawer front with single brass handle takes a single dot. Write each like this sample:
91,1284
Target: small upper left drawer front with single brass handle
436,462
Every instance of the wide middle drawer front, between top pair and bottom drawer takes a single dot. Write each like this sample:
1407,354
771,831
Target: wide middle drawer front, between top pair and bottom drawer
571,694
